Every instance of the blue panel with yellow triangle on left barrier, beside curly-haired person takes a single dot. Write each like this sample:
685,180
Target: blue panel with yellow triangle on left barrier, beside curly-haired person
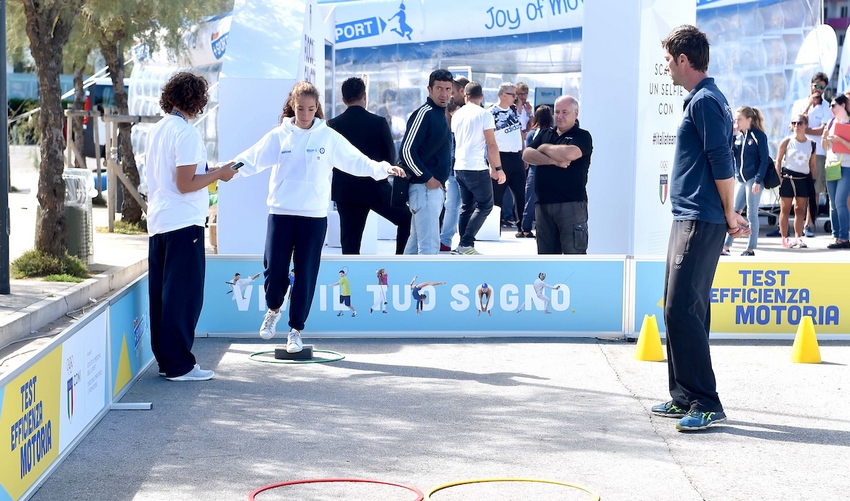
130,334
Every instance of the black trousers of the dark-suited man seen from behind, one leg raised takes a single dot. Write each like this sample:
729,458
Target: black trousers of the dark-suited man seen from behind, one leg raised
352,221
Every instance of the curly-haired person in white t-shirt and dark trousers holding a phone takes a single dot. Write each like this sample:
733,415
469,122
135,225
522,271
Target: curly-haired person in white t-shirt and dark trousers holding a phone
177,179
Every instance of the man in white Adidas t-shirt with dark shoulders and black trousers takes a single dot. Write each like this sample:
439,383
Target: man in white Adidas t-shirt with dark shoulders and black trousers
509,138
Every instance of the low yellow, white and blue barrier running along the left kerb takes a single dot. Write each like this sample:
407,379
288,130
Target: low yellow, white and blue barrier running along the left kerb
49,404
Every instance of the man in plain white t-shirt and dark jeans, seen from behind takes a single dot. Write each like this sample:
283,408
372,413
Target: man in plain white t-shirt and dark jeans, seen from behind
473,129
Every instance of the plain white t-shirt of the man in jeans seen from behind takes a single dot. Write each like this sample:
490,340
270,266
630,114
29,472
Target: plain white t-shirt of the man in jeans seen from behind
468,125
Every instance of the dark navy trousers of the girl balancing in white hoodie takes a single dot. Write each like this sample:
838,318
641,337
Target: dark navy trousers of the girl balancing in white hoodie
300,240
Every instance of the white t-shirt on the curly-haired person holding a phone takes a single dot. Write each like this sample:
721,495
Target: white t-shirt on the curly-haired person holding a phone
172,142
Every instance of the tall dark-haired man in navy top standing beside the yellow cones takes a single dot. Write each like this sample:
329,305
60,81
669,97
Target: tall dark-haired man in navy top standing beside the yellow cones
701,194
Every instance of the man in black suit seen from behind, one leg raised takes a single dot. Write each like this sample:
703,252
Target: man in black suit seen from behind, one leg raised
356,196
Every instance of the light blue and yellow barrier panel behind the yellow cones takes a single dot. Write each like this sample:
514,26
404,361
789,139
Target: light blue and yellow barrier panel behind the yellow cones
759,298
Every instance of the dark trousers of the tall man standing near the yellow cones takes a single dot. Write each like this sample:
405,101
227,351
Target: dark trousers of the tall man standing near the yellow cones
692,258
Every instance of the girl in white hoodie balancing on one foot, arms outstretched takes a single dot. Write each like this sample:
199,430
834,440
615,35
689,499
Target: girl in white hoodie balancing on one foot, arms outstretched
302,152
